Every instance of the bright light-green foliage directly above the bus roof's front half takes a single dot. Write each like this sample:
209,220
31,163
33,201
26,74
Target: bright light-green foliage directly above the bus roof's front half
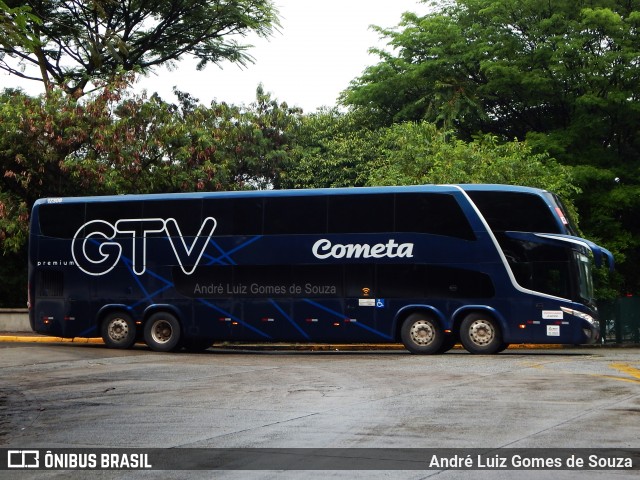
335,150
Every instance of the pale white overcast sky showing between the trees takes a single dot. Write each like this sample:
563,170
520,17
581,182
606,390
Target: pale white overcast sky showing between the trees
322,45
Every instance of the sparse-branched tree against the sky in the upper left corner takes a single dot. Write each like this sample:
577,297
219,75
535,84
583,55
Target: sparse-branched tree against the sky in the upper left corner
70,43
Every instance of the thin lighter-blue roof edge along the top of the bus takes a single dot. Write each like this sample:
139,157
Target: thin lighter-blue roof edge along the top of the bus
300,192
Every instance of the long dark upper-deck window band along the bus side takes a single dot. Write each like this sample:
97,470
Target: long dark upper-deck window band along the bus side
426,213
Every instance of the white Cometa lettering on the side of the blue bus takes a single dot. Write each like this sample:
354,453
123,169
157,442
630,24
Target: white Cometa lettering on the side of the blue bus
324,249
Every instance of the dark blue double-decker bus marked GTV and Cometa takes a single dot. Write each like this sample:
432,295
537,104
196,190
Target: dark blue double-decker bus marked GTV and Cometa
428,266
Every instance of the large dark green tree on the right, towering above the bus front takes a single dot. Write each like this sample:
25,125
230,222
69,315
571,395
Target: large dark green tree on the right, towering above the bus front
562,74
